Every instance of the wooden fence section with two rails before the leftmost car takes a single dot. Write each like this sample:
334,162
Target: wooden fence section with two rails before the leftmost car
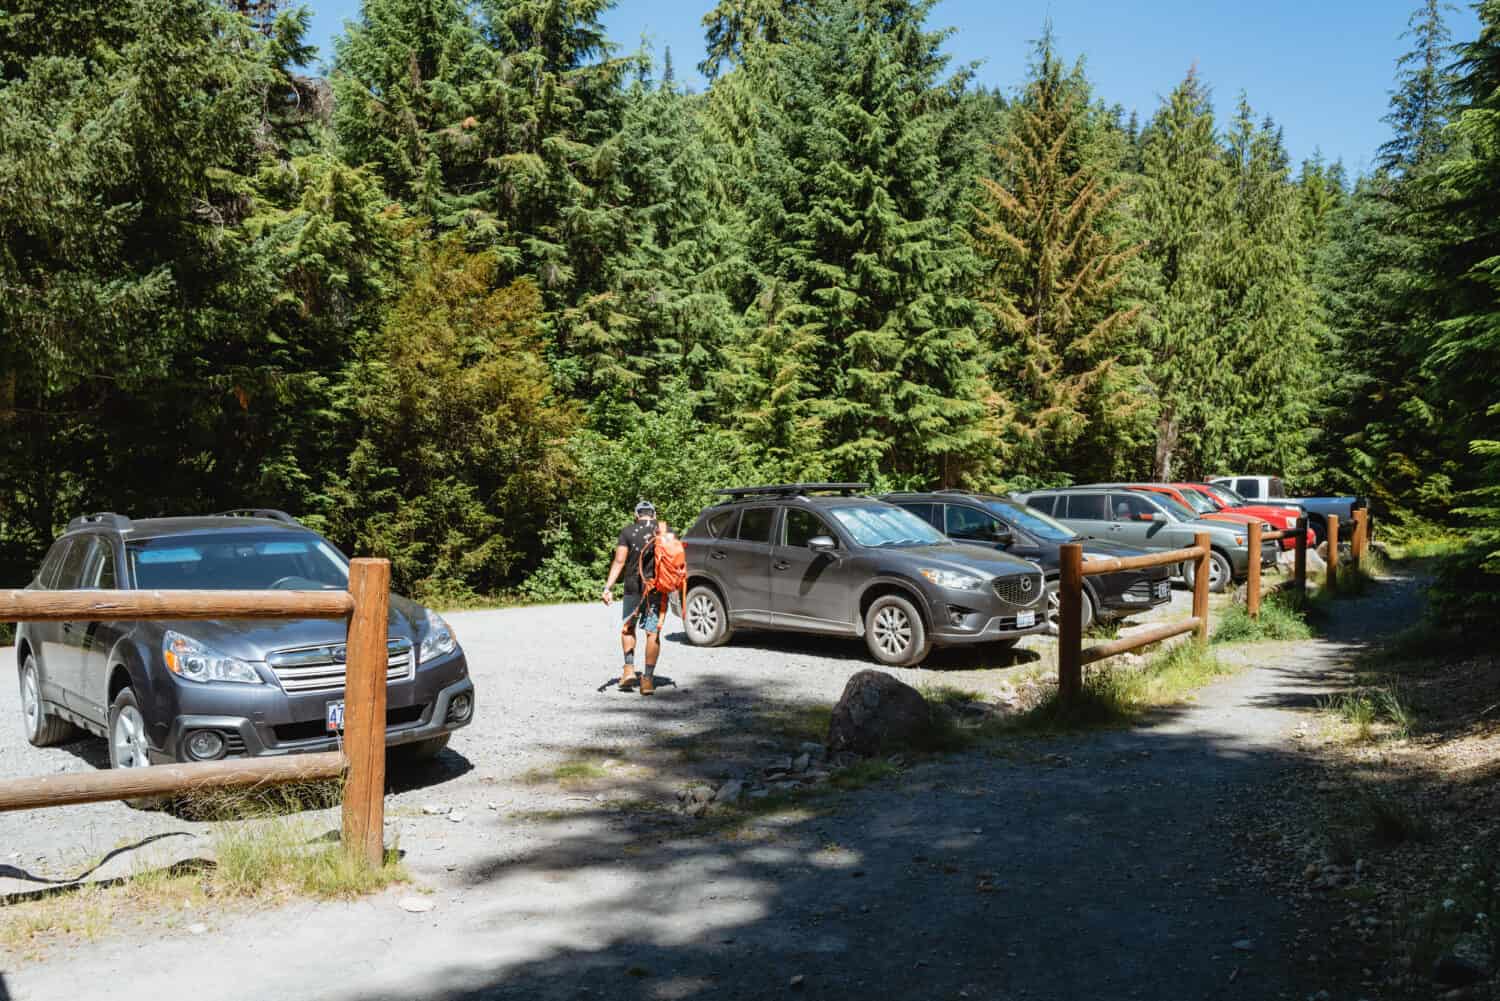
362,760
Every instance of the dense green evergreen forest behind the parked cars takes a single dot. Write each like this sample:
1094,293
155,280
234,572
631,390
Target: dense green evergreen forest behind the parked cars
467,296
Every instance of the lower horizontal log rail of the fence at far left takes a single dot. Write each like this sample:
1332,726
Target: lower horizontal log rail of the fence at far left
161,781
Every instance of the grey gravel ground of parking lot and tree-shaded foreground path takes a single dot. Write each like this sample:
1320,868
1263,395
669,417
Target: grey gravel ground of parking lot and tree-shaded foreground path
1087,867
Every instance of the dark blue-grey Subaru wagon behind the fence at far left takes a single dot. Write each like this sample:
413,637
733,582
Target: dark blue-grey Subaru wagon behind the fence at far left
208,690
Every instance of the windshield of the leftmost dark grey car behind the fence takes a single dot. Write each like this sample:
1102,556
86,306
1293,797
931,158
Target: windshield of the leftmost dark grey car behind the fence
253,562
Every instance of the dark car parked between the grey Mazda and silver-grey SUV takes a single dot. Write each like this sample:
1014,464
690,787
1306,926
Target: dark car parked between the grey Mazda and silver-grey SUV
1000,523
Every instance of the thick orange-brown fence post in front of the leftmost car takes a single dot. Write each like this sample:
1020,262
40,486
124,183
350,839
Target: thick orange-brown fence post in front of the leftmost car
365,712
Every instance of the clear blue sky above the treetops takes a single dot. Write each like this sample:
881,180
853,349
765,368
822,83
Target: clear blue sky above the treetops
1321,68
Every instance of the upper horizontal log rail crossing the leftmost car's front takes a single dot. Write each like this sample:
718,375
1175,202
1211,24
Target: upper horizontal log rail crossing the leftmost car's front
50,607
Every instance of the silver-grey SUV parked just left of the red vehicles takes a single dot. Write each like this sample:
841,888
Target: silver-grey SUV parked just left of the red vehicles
1151,522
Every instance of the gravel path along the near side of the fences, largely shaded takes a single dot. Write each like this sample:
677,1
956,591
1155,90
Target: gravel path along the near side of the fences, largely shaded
1094,867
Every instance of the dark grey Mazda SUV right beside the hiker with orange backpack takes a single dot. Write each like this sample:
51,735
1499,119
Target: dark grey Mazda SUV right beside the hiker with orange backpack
826,559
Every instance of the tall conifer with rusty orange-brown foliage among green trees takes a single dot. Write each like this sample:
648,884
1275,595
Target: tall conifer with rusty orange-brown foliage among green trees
1048,227
